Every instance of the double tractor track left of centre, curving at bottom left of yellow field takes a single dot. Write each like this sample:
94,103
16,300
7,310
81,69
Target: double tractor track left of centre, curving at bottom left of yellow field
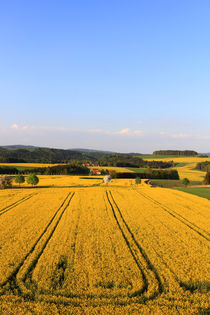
14,282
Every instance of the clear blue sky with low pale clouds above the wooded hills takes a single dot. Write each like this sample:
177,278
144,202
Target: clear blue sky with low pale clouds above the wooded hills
115,75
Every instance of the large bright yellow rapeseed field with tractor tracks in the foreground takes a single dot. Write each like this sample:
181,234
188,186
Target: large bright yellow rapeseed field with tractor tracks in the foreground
74,245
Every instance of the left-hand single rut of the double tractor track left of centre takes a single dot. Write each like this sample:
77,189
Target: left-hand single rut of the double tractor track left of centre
10,282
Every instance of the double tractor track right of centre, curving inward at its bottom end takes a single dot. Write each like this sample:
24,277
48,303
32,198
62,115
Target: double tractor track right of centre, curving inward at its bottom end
148,271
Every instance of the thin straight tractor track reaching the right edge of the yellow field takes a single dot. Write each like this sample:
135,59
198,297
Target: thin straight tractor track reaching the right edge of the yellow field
177,216
